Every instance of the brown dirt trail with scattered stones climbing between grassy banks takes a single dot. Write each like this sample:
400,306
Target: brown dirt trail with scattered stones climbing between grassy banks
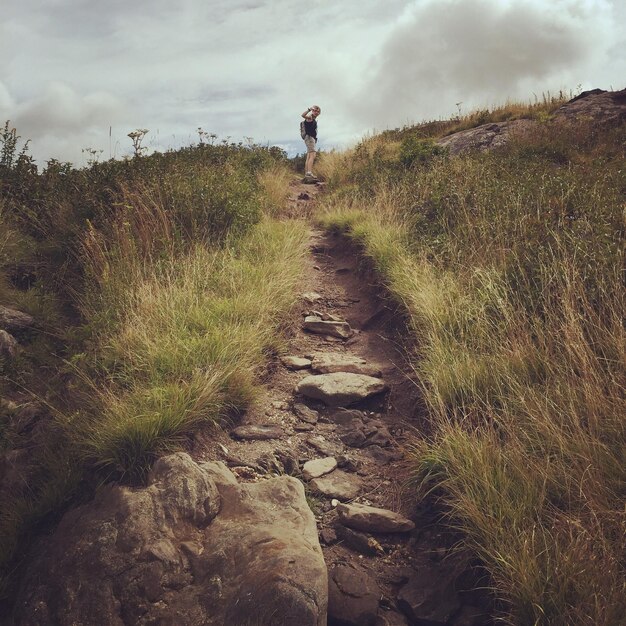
377,578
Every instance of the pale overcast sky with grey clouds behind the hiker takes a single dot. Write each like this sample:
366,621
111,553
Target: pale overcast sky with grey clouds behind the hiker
80,74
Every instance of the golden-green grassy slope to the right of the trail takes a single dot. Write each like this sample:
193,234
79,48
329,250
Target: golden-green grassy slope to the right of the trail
509,267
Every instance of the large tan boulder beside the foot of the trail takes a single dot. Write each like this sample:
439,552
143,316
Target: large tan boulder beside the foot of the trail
194,547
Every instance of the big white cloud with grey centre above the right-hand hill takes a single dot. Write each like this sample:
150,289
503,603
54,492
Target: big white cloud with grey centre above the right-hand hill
483,51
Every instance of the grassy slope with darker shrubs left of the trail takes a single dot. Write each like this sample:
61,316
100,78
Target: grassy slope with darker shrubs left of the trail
182,274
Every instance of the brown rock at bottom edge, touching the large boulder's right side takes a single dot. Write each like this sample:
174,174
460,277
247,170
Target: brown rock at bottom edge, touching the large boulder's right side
353,596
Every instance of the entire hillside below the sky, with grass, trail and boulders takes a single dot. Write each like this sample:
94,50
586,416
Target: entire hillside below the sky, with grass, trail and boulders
395,397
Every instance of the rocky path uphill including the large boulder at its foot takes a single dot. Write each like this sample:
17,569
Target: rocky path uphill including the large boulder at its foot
232,536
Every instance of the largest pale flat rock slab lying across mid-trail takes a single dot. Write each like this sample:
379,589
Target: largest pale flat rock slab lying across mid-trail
340,388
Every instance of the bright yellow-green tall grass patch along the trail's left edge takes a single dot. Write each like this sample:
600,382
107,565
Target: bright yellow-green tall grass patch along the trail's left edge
185,341
